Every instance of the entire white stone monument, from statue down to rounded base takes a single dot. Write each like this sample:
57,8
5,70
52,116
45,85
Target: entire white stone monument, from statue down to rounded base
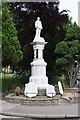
38,79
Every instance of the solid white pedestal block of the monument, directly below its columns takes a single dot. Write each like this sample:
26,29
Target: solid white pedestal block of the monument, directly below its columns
38,72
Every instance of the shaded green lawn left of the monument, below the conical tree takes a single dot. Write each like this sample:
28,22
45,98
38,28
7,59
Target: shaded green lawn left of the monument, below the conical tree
10,82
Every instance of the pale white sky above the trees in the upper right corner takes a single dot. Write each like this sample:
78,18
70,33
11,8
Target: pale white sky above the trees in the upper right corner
71,5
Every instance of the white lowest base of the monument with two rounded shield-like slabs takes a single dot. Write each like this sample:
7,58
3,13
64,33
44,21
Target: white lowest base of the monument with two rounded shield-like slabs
32,89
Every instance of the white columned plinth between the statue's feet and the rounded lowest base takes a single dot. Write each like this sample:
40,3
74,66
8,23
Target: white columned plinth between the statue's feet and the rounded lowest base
38,66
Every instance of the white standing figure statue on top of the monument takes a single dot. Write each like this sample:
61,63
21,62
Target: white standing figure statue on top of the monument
38,26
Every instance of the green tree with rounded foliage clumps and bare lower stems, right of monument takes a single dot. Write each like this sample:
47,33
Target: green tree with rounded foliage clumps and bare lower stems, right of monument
66,52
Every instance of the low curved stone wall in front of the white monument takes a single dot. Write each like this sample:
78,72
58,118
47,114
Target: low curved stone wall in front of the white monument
38,100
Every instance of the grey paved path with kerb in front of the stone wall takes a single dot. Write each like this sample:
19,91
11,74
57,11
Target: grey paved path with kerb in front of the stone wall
60,111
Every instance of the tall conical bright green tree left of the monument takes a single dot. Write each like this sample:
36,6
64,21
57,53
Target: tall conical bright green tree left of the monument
11,47
